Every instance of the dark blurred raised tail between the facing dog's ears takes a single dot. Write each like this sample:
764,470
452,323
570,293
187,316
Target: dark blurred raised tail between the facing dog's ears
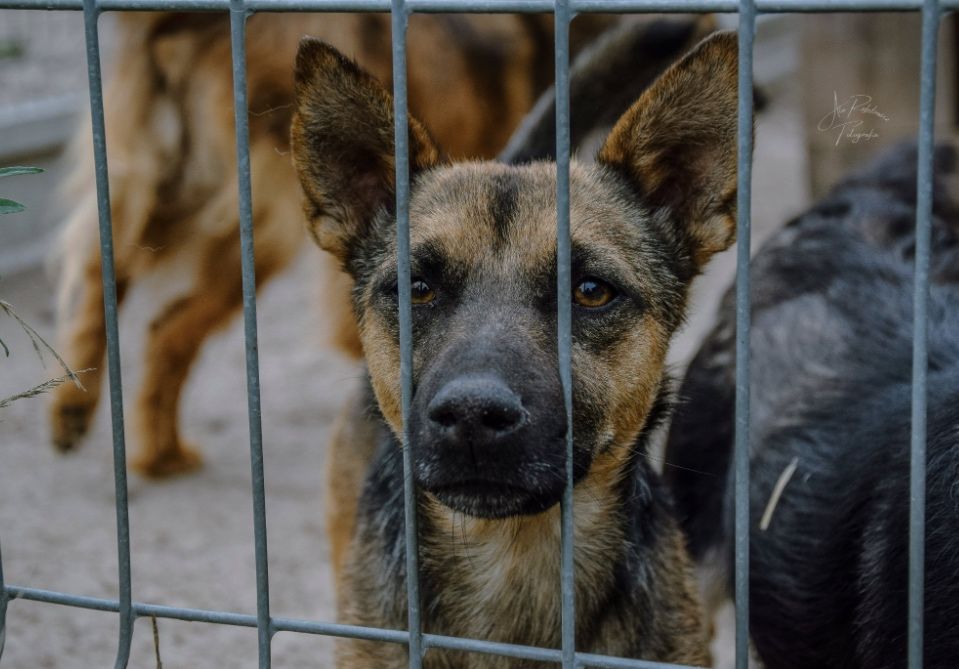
605,79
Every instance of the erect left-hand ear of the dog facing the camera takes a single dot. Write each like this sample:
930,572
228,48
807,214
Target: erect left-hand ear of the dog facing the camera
342,141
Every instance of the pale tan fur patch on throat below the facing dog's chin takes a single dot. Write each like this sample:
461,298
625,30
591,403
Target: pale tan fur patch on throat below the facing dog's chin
507,572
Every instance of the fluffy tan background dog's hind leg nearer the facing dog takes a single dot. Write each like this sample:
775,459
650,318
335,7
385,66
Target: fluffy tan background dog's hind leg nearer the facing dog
177,334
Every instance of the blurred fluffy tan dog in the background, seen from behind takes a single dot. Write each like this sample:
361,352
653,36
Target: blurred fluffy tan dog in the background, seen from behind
169,113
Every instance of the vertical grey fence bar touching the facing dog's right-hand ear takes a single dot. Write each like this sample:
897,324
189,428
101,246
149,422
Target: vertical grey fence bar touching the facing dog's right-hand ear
747,32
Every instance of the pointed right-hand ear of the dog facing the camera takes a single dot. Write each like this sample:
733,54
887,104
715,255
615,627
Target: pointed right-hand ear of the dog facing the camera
677,145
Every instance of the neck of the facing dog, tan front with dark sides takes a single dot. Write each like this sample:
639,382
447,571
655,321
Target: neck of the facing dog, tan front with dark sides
499,580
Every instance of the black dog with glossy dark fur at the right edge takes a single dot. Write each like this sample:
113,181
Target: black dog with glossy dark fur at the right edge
831,348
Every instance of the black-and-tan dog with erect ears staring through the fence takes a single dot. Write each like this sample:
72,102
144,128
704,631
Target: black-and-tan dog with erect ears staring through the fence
487,422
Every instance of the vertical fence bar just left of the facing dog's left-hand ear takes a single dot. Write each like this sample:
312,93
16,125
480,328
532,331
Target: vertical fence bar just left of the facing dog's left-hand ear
238,15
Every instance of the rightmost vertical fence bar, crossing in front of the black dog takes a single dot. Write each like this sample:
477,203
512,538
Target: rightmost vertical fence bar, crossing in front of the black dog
917,475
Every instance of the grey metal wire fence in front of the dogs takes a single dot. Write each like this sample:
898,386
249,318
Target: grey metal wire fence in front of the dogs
419,643
